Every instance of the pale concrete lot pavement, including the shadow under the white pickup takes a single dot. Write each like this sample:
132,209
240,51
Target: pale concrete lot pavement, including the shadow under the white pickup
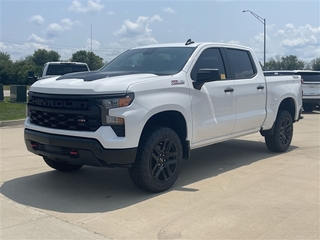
231,190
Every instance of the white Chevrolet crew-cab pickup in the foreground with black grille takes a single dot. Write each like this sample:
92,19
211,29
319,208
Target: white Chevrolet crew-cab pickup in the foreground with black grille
151,105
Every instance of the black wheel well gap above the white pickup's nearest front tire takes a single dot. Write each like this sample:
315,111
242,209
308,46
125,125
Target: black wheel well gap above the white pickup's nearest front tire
173,120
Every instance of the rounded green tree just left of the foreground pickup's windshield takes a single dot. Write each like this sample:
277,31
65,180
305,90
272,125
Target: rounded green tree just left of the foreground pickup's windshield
94,61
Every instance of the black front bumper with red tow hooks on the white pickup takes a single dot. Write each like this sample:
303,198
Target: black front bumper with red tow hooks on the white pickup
77,150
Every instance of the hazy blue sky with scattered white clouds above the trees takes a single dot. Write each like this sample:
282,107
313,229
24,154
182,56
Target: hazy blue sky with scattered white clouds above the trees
110,27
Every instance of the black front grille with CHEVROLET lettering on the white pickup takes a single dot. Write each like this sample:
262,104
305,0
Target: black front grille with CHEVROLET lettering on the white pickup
74,112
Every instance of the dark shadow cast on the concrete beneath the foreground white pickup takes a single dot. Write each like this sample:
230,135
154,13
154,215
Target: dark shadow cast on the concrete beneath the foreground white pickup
92,190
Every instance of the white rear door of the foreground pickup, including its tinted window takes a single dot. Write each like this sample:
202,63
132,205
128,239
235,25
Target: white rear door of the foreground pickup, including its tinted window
250,91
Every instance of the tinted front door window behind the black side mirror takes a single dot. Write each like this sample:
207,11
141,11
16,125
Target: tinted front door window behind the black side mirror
209,58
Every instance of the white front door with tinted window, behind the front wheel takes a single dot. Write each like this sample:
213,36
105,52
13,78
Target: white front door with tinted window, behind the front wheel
213,106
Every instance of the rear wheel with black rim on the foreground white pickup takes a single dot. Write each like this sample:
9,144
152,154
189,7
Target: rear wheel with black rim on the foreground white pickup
281,138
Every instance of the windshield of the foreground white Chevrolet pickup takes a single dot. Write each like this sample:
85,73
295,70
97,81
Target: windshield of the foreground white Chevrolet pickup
160,61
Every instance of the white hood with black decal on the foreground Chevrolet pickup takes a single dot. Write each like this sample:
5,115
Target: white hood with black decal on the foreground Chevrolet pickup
94,82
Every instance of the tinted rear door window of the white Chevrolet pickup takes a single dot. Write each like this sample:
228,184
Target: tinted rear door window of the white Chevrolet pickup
241,63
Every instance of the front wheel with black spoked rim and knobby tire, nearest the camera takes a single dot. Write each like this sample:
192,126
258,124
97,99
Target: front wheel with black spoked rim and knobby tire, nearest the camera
158,161
